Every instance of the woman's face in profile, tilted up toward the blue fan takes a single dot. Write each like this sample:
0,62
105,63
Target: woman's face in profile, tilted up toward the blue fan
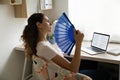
45,26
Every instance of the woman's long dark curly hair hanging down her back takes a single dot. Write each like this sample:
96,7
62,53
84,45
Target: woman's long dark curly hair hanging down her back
30,34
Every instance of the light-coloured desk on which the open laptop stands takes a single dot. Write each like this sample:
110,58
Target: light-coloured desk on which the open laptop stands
99,57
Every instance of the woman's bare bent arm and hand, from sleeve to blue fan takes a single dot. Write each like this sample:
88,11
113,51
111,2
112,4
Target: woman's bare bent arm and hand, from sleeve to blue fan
75,63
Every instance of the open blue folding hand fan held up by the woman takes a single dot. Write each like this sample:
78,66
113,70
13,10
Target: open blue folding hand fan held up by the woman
64,34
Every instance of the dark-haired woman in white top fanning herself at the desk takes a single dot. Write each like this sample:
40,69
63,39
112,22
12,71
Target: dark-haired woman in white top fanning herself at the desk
34,38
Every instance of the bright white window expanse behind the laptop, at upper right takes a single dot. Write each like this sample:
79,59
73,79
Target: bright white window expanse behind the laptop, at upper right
96,15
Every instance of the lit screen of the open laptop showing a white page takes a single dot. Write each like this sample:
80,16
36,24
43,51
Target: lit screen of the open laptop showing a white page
100,40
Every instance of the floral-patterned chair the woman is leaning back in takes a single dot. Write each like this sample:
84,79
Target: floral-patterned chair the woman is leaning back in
47,70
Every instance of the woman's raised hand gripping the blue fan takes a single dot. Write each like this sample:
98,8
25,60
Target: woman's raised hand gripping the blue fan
78,37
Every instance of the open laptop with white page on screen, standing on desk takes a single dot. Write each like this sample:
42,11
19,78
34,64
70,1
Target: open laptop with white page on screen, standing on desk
99,44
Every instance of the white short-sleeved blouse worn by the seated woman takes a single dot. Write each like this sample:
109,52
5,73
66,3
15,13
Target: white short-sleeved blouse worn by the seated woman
46,50
